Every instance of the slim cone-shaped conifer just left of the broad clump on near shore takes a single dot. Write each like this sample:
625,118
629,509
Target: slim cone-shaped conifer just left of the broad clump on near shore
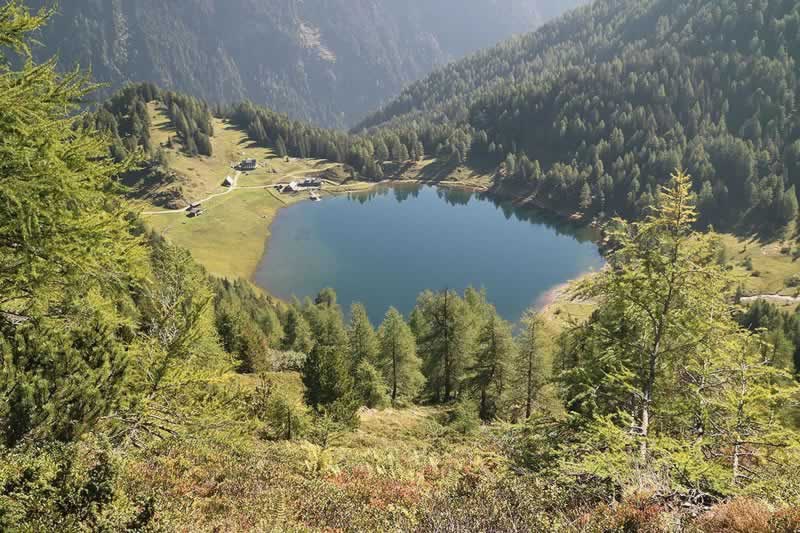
398,358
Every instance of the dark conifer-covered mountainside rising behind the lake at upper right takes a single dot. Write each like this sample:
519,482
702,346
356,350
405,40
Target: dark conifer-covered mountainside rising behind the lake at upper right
593,110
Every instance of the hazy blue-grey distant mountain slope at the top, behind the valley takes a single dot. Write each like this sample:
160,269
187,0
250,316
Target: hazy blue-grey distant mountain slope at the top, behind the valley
329,61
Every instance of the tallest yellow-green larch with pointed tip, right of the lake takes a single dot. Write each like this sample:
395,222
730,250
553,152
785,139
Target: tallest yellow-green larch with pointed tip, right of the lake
661,298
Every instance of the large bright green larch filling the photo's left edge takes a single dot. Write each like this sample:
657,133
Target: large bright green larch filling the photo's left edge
69,254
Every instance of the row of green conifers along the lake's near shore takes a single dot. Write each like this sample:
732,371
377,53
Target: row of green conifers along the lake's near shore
453,348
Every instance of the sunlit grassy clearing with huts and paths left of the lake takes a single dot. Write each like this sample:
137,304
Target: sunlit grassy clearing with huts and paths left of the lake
230,238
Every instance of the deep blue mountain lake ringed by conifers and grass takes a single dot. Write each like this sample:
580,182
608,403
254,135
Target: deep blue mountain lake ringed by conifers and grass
385,246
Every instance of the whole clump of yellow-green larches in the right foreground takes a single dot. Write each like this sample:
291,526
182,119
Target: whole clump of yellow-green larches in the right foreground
663,377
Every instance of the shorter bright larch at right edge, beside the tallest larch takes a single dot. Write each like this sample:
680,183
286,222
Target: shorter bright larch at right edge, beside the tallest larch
742,399
